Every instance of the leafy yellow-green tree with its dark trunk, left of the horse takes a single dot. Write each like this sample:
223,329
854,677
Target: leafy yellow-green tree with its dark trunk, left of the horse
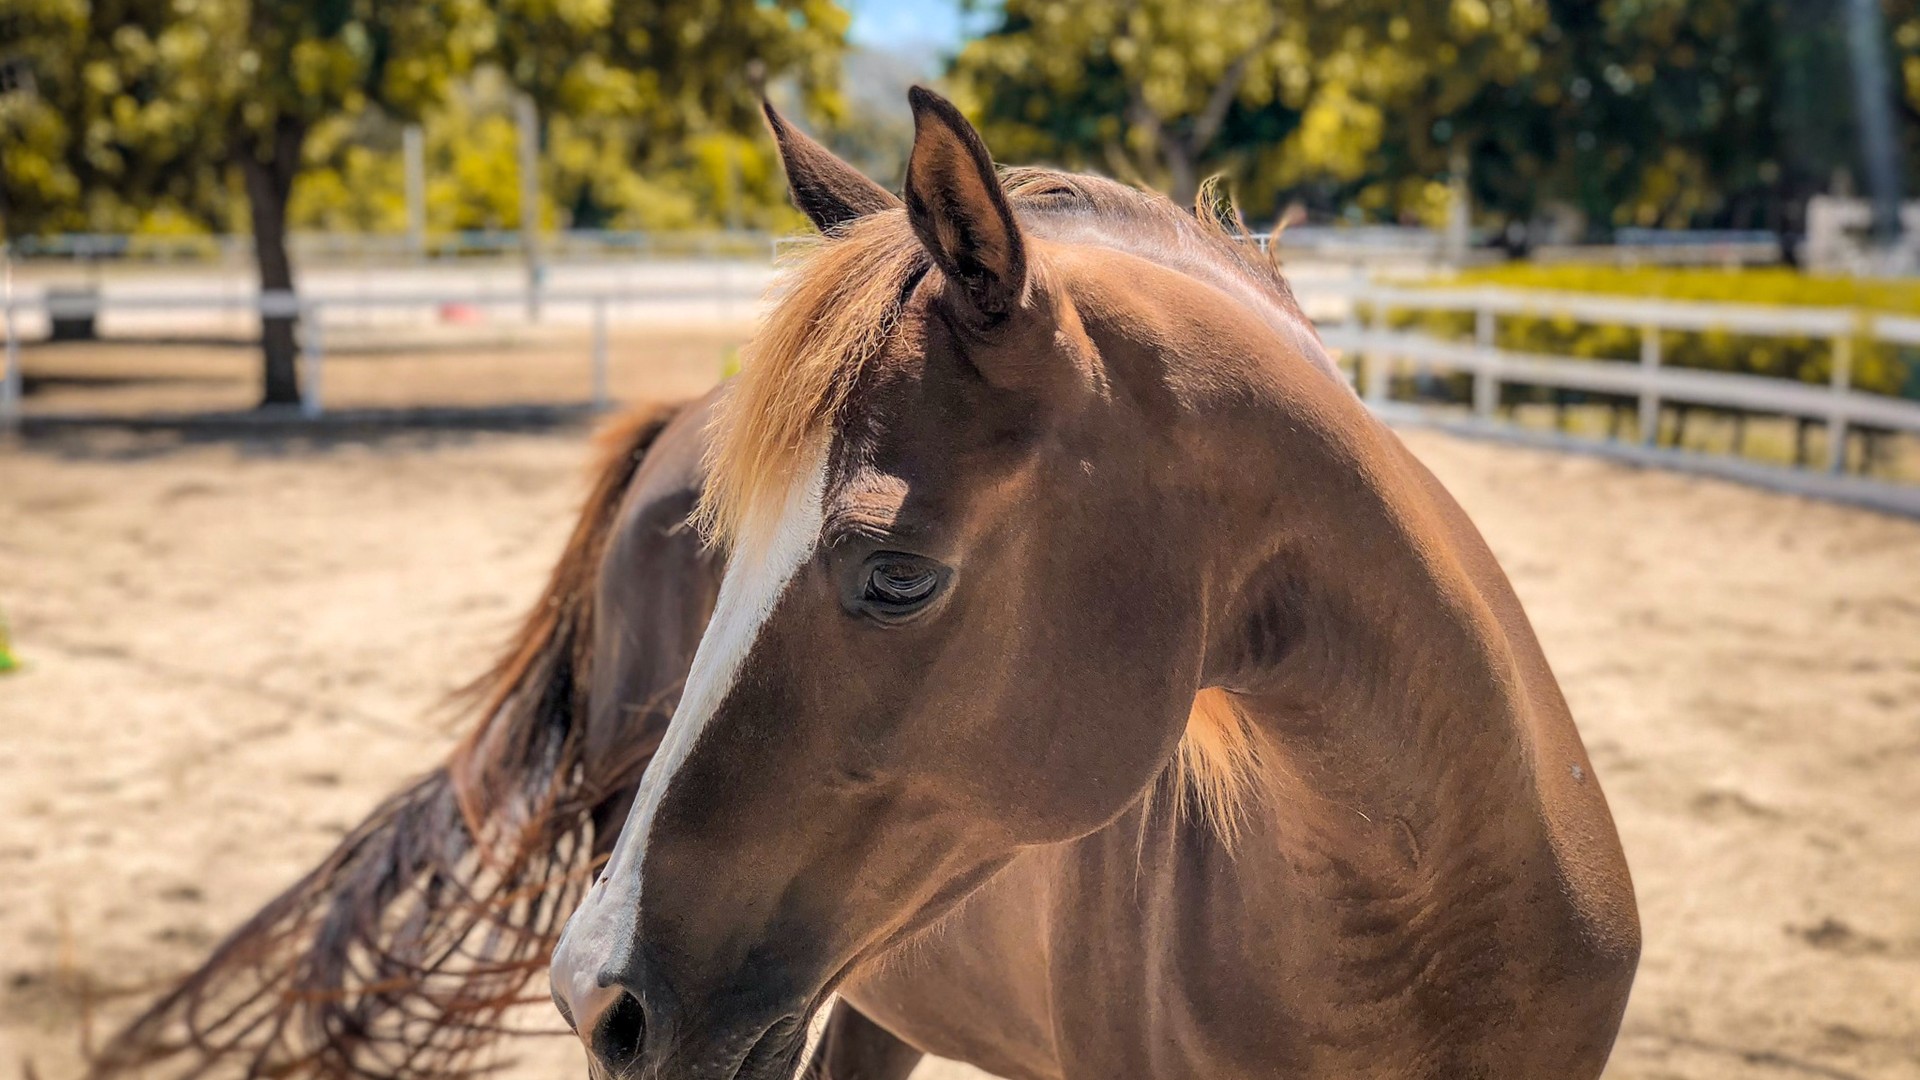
153,107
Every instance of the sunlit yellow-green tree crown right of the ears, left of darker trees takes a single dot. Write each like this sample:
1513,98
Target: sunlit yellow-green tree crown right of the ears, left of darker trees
1278,93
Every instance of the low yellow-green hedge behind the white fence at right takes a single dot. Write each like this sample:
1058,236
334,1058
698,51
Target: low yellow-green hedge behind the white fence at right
1877,368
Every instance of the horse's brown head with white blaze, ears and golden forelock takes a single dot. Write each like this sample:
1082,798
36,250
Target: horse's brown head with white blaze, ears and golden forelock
965,610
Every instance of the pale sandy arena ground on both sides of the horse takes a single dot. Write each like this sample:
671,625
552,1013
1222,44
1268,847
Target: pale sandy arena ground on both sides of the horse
235,647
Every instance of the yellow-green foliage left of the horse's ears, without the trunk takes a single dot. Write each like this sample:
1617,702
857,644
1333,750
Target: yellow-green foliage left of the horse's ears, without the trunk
650,110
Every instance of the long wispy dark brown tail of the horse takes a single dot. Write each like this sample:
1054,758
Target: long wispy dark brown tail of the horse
402,954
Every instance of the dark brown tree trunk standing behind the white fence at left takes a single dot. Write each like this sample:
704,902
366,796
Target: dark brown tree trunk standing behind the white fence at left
270,166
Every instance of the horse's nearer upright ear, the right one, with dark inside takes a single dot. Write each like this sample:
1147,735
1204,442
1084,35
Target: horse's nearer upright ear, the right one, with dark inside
959,209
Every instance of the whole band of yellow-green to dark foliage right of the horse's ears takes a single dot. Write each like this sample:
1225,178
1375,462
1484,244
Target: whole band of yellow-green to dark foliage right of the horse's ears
1625,112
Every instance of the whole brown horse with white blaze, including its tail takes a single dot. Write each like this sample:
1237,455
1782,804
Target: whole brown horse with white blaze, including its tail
1080,683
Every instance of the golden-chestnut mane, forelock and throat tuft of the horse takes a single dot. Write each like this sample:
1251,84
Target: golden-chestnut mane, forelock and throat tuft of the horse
838,308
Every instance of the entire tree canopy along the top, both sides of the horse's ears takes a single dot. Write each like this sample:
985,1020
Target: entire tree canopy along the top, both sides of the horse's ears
1610,112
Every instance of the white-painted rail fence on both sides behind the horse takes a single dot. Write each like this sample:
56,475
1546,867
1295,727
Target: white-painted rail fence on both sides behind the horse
1840,406
